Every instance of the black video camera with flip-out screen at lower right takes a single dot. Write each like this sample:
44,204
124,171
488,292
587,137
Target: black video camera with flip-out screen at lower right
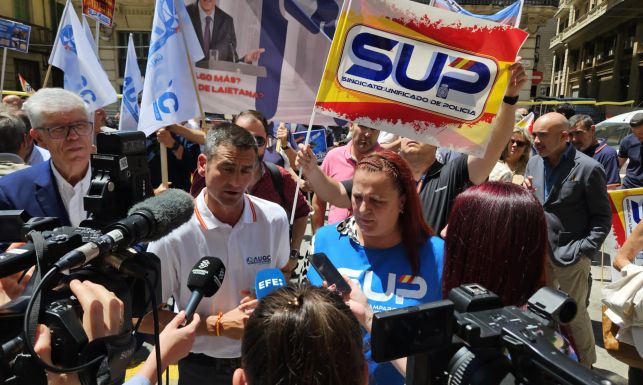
471,338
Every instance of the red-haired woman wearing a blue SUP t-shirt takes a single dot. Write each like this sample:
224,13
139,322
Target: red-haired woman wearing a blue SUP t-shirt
386,245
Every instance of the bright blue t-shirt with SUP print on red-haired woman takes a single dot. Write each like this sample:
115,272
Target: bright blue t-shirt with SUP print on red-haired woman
386,279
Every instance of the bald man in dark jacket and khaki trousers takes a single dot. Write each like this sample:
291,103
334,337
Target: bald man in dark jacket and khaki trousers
571,187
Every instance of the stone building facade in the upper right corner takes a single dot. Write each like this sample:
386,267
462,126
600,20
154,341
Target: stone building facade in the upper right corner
597,50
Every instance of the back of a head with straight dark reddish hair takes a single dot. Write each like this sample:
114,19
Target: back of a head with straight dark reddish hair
497,237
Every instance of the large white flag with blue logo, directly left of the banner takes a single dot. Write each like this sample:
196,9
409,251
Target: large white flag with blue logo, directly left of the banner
168,93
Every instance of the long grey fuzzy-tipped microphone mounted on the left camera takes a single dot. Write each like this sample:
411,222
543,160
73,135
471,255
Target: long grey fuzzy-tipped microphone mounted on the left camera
146,221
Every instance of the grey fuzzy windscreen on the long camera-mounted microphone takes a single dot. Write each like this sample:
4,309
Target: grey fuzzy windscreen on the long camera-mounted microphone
169,210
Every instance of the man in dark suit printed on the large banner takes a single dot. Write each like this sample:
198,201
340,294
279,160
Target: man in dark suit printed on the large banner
222,36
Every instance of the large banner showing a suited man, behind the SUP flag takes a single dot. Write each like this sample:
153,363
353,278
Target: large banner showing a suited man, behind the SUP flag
264,55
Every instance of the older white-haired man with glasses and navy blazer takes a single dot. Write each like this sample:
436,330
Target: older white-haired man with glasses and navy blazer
60,123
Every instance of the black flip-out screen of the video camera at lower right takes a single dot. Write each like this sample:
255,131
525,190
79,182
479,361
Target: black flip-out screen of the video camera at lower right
411,330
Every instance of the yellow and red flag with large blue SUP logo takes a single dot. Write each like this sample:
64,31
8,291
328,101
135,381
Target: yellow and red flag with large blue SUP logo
418,71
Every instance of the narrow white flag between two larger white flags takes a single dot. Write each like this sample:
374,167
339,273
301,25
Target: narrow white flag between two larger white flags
132,86
